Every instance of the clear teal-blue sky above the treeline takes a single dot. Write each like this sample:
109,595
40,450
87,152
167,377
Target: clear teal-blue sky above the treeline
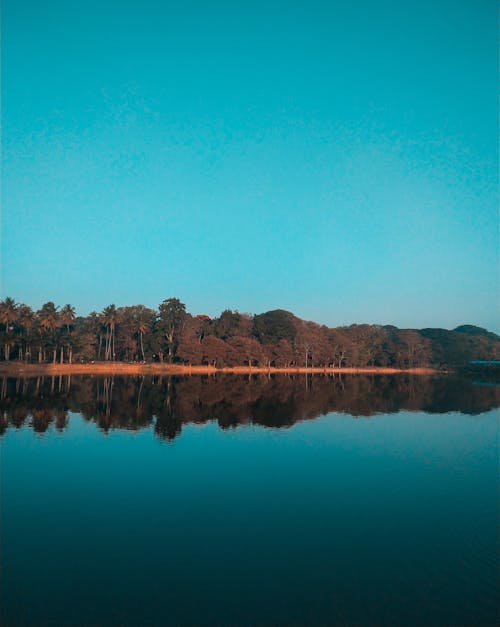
338,159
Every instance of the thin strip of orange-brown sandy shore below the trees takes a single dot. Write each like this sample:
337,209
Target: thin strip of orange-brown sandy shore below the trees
118,368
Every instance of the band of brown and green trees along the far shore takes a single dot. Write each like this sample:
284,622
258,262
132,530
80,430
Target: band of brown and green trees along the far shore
275,338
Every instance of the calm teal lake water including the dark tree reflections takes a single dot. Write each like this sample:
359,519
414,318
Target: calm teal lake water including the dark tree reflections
284,501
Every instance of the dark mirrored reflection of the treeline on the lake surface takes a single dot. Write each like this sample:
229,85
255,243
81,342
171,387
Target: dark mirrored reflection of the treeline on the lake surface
274,401
